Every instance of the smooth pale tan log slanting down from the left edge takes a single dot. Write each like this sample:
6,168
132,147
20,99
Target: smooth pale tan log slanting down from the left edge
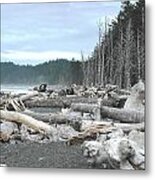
27,120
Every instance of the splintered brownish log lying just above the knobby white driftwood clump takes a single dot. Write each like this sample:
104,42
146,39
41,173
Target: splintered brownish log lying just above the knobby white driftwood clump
90,130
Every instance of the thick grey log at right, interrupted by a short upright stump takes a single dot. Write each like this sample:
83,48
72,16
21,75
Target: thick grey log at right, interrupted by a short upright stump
123,115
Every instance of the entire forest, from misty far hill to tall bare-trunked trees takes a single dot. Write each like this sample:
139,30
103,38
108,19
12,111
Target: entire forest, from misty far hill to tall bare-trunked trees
118,56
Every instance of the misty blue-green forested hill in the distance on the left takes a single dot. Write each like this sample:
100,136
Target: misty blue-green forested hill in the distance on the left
60,71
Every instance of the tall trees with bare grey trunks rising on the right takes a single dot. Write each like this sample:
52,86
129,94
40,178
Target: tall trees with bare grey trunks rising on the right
119,56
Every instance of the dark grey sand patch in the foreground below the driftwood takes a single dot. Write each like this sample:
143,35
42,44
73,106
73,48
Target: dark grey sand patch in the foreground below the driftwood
53,155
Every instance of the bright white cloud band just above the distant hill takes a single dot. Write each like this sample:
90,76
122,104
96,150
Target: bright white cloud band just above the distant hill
30,57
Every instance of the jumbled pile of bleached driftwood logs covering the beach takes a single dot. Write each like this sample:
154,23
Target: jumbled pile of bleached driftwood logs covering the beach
108,123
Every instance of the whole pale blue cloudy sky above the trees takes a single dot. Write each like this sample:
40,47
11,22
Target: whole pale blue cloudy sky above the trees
39,32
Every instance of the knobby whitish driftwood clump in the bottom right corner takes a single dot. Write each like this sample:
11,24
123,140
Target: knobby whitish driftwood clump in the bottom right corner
117,153
